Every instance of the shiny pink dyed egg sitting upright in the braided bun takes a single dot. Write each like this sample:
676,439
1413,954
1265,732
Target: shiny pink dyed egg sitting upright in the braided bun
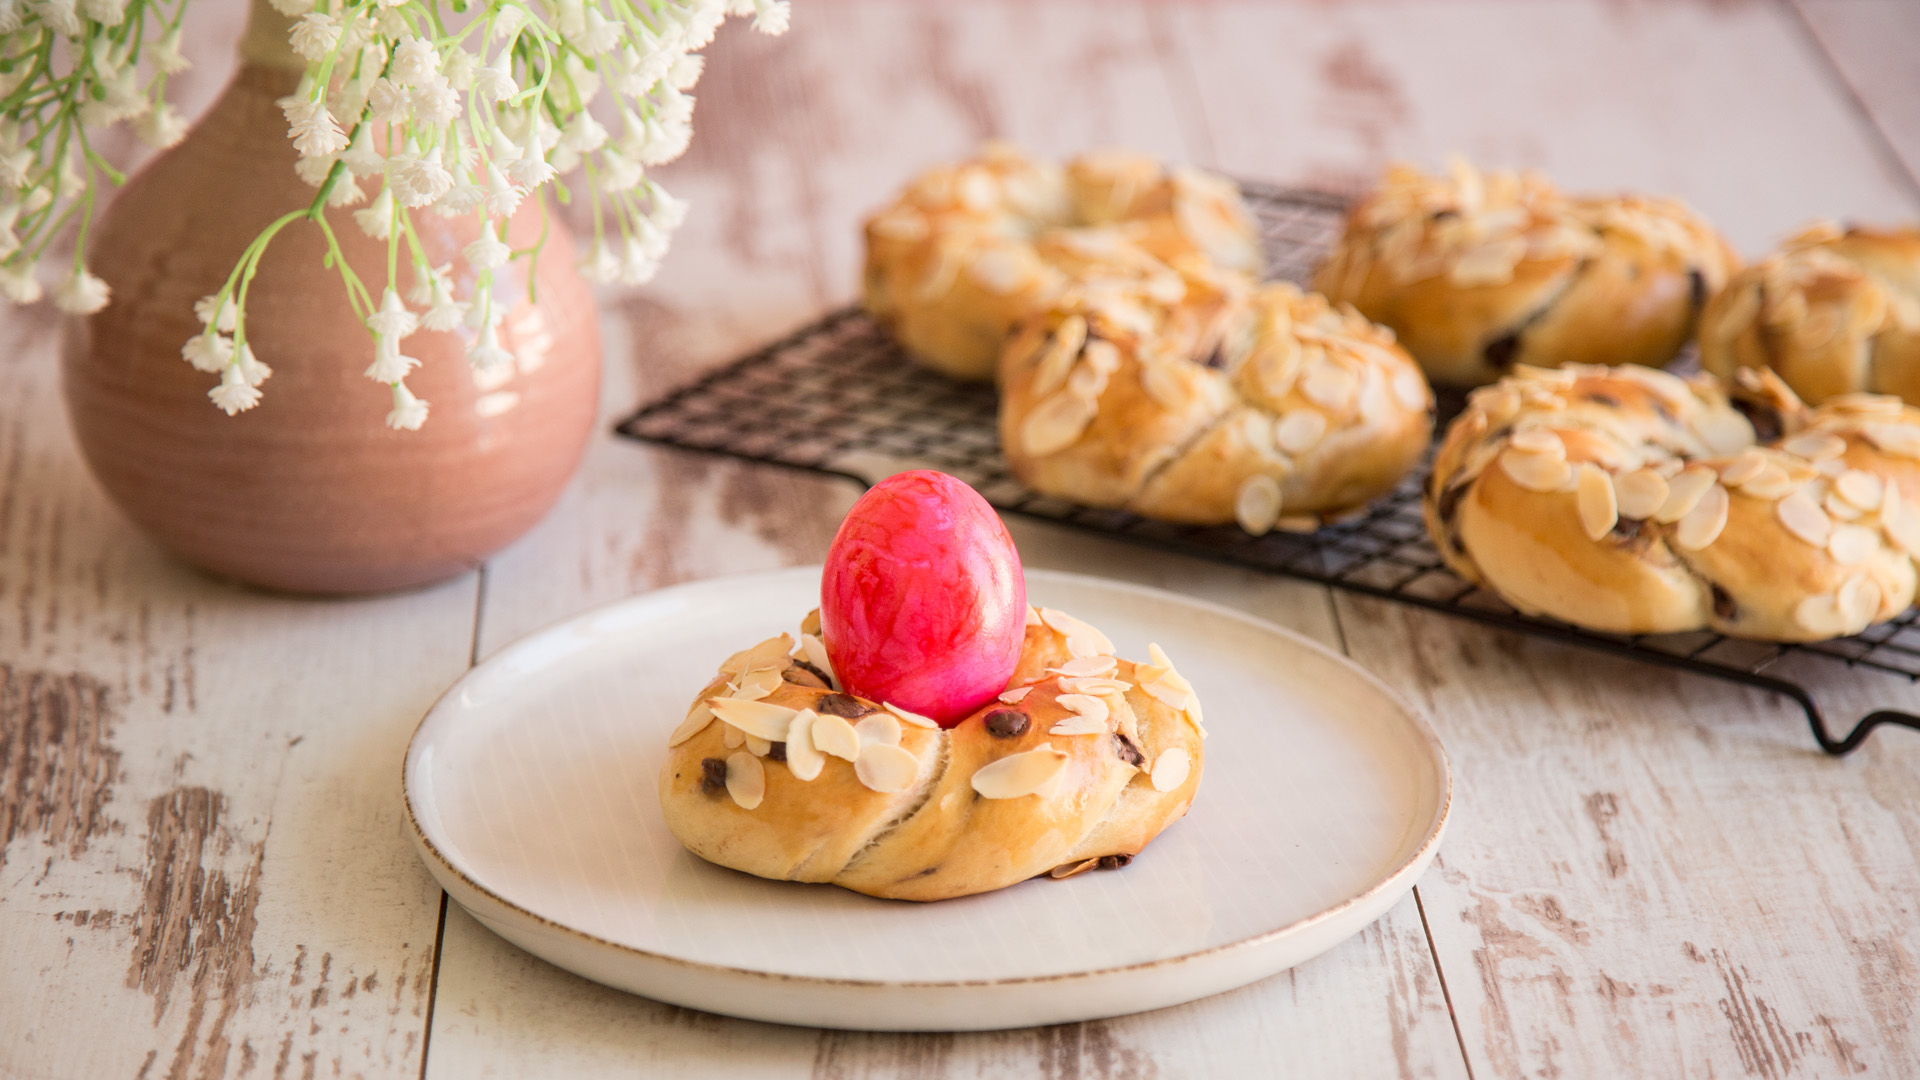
923,602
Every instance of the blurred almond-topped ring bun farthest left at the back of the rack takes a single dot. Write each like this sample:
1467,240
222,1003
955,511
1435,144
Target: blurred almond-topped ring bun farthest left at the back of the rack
972,249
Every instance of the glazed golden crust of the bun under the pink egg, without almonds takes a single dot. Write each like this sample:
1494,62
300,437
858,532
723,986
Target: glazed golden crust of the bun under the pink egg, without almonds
942,835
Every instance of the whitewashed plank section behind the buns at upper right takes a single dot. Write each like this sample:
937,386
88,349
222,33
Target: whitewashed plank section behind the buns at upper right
1721,105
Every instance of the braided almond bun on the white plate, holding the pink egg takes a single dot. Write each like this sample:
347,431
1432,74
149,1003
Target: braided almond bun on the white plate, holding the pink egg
1080,764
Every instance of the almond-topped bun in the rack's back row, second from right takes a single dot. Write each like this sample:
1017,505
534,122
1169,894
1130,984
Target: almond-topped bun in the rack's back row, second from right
1485,272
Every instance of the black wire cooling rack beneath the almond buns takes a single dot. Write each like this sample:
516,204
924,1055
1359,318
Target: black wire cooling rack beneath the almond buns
838,397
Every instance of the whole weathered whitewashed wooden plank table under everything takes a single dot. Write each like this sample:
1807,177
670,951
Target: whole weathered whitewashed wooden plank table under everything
204,871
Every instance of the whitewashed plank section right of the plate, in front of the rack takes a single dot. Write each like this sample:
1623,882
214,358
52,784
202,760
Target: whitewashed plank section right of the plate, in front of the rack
1658,875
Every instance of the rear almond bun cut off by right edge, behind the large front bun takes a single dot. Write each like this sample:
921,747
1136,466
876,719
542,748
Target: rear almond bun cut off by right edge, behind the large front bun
1835,312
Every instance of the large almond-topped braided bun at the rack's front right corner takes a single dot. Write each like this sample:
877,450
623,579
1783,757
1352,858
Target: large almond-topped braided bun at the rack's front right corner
1629,501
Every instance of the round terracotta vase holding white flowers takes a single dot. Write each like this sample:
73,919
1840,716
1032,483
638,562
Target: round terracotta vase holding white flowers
310,491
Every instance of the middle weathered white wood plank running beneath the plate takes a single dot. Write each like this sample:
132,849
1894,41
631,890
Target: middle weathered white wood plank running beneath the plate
800,137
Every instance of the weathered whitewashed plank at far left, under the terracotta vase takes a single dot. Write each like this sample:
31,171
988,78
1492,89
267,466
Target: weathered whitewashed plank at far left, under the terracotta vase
203,866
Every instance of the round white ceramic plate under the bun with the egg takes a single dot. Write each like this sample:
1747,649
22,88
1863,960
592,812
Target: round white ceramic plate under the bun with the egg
531,789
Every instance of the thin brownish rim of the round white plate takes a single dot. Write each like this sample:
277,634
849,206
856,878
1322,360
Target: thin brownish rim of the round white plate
1416,860
